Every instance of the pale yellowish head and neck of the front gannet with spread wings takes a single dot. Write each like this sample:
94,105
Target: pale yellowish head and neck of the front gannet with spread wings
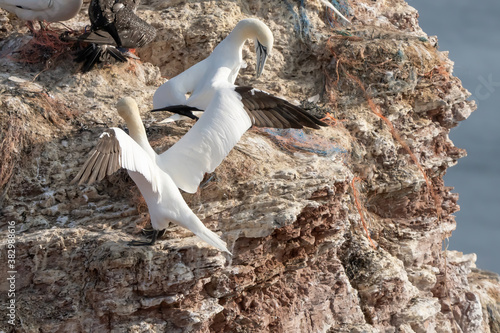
129,111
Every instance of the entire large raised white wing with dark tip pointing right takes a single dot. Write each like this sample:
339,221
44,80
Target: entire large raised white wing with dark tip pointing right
230,113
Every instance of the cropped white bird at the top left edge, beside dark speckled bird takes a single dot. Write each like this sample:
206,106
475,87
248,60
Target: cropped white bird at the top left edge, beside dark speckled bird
43,10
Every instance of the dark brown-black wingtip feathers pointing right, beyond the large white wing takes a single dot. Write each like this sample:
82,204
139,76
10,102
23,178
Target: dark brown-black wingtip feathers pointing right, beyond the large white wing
266,110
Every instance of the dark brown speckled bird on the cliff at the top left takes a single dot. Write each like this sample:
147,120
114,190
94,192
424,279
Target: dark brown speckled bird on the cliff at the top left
114,24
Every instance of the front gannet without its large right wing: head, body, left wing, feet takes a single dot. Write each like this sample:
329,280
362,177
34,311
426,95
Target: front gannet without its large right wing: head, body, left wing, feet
115,149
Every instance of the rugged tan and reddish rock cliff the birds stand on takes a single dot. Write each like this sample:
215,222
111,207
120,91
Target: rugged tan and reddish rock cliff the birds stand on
290,204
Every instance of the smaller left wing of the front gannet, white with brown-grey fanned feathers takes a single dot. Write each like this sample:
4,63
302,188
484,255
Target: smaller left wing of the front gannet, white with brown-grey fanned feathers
115,150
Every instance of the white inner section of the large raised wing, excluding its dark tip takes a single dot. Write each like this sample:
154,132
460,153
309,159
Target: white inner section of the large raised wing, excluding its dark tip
208,142
